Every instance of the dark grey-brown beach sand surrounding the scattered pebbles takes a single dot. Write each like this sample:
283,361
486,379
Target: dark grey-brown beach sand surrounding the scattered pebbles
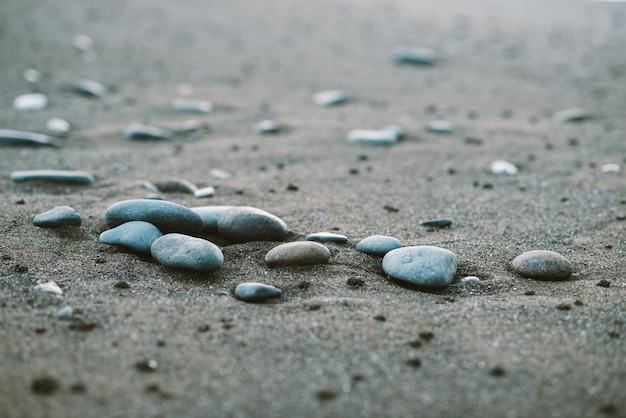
344,340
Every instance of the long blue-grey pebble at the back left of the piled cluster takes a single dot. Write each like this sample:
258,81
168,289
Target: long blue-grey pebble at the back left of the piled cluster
166,216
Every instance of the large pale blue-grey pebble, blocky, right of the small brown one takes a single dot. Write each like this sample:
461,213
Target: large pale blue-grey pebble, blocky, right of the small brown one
426,266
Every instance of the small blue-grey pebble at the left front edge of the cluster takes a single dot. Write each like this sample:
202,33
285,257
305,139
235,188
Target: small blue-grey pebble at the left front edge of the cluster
137,236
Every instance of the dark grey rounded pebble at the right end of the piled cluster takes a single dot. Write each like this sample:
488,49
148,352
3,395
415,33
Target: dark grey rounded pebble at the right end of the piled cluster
244,224
